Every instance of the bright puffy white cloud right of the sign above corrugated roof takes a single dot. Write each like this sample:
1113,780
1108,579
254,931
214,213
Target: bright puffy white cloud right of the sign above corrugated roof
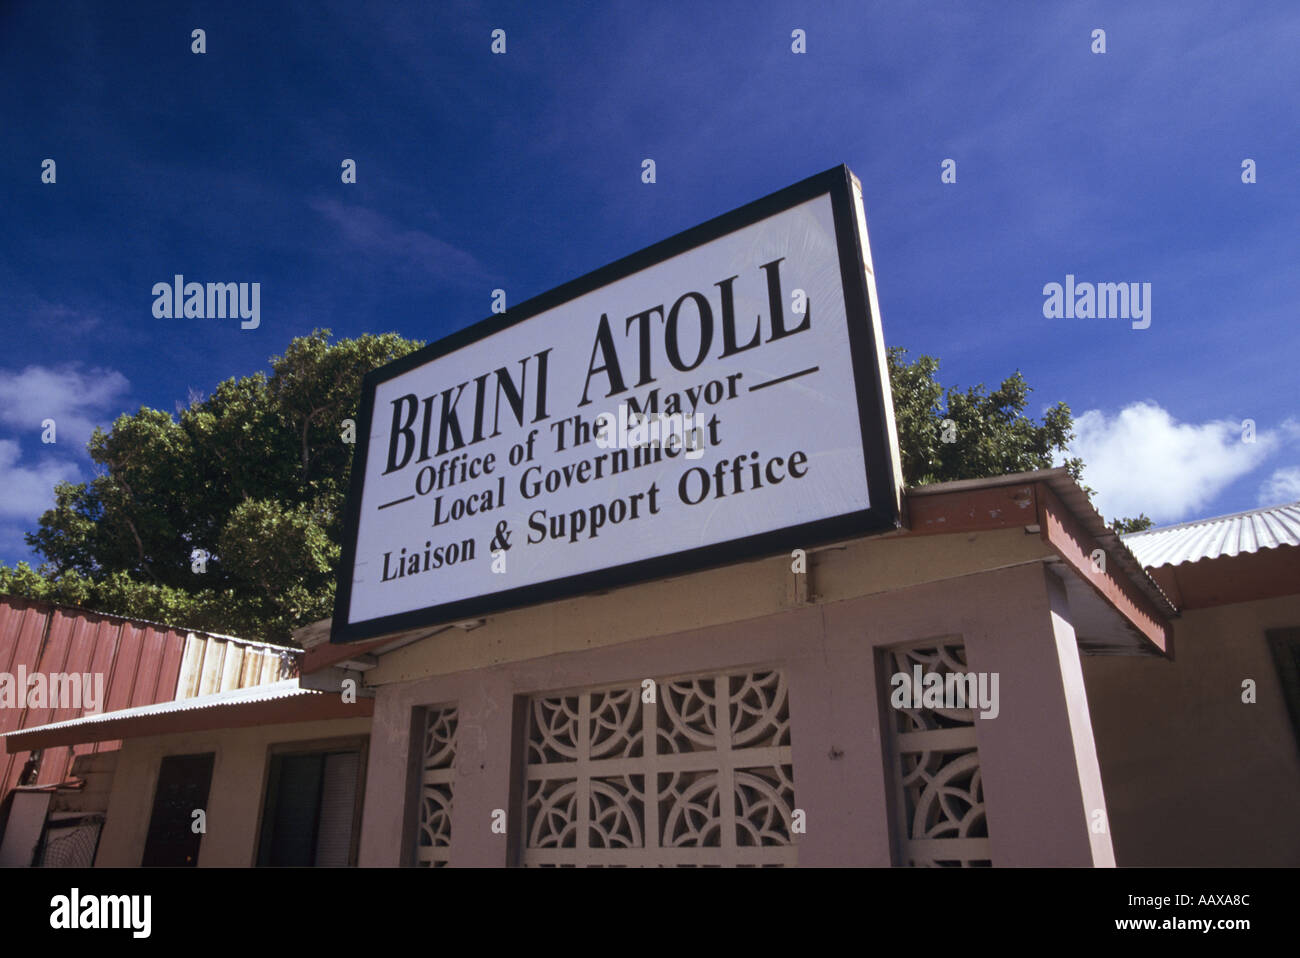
1143,461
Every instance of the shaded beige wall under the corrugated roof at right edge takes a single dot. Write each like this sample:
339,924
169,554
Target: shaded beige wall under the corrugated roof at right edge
1194,777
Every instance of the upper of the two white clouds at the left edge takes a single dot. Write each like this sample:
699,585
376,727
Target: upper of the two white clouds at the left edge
76,400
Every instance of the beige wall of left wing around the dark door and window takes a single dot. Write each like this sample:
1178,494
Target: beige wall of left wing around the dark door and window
235,801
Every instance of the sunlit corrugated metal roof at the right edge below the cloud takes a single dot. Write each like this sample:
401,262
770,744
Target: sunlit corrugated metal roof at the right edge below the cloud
1210,539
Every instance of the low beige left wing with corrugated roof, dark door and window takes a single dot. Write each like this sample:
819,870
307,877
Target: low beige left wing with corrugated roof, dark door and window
276,771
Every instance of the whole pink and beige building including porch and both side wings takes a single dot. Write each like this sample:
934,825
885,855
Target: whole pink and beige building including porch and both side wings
531,738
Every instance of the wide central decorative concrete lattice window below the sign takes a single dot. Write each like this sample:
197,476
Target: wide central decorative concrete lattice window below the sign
700,777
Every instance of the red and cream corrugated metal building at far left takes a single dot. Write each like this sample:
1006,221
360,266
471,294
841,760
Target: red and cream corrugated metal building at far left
63,673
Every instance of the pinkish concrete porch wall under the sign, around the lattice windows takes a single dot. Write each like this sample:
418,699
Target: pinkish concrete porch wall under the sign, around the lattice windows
1041,775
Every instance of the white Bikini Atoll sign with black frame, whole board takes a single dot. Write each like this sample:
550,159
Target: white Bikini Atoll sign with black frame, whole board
717,397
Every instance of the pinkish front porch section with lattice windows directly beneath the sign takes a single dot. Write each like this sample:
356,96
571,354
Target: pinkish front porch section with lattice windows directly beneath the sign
743,716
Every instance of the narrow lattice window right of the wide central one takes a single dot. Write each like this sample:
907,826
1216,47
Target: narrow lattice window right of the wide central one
938,791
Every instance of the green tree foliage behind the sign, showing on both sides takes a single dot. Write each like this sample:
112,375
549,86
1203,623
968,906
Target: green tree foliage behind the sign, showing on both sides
228,517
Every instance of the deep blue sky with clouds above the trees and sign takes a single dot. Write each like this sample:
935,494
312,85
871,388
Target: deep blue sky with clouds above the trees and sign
523,171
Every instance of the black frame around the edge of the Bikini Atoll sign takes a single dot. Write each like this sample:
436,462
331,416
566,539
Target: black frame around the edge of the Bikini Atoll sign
881,454
